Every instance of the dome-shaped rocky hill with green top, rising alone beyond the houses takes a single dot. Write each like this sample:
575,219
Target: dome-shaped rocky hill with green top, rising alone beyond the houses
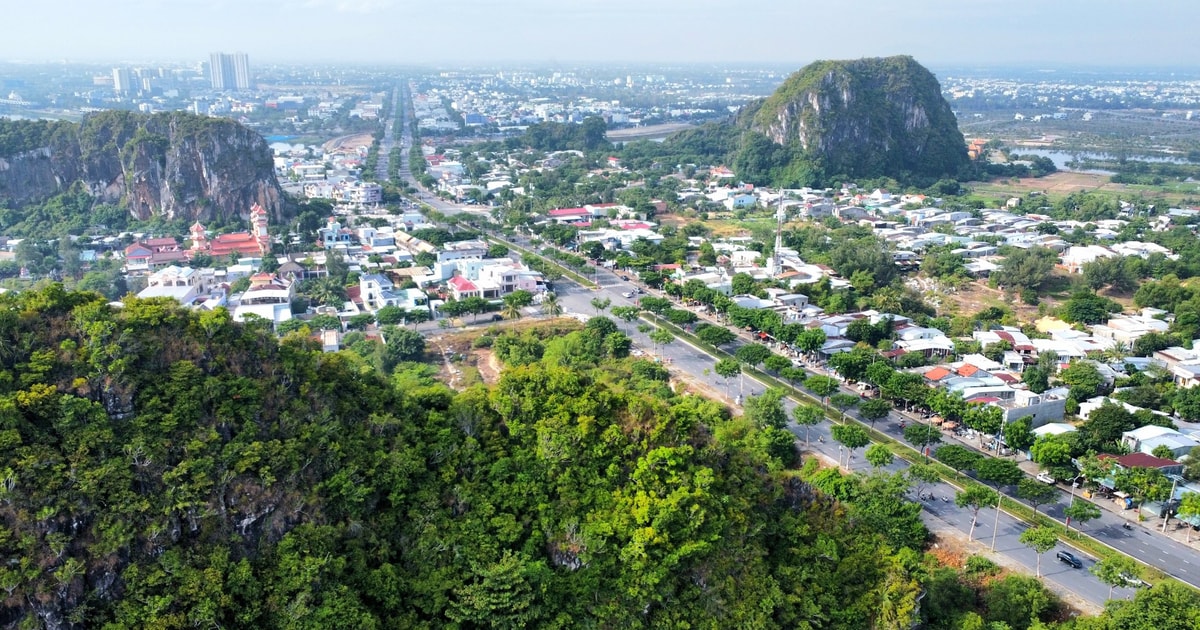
865,118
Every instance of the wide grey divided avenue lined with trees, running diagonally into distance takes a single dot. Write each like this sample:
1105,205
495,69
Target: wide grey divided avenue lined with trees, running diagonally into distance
940,515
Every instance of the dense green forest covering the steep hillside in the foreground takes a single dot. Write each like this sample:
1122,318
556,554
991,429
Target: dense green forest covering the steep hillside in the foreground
163,469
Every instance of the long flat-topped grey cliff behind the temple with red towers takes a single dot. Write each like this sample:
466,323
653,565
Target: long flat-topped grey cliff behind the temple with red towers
173,165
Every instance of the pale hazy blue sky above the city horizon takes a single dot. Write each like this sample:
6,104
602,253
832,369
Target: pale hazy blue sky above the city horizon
1045,33
